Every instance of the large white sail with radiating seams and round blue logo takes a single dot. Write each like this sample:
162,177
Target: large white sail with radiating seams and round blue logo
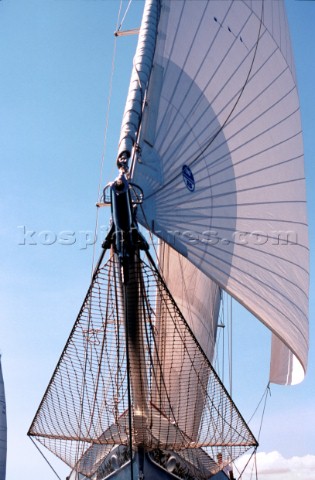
221,160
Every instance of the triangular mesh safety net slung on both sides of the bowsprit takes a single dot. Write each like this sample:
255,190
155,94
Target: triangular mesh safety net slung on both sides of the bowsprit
178,402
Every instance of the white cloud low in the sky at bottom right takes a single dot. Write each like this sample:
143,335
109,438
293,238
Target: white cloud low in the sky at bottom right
273,466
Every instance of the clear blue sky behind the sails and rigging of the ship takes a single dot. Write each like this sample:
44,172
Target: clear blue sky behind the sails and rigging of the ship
56,58
